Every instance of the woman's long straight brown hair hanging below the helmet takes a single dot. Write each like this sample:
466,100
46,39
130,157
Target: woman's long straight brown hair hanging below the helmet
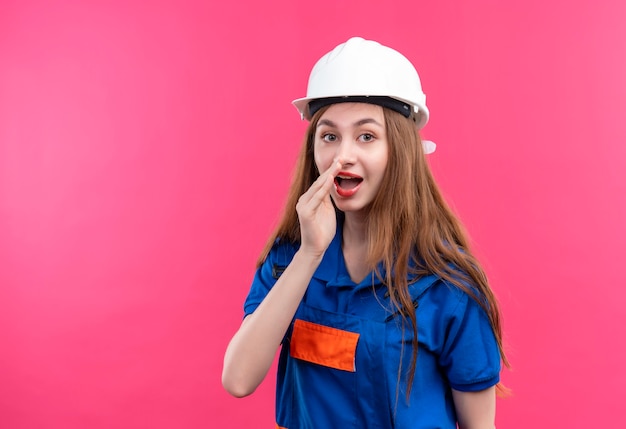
409,225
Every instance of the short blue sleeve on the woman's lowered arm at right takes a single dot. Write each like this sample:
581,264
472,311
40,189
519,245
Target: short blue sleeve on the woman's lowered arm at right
470,356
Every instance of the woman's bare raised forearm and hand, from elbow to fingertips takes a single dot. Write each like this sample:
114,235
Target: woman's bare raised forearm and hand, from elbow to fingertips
251,352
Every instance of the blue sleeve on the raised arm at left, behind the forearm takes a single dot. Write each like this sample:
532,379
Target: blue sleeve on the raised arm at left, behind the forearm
266,275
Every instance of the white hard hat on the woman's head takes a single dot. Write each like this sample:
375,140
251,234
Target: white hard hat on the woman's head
366,71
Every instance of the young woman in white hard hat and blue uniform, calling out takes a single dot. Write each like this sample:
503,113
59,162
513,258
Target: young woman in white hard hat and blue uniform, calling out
386,320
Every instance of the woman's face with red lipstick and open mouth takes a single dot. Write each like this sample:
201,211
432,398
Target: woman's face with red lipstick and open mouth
354,134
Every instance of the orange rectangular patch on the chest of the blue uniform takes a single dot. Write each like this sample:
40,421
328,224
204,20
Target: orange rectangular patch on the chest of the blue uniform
324,345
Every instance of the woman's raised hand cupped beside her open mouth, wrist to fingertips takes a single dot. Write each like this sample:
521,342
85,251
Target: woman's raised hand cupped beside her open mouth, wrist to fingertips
316,213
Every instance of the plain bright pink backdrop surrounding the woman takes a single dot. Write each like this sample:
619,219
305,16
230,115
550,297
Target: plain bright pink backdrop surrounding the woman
146,149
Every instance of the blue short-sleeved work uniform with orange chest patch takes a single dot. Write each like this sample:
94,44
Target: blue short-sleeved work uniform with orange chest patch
340,358
